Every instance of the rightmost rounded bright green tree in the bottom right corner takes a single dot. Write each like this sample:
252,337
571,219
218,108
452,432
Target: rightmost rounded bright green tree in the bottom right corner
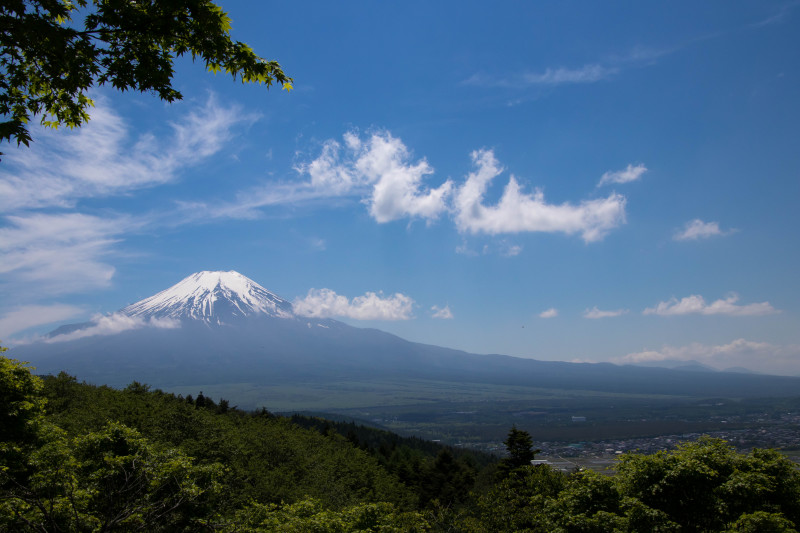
707,486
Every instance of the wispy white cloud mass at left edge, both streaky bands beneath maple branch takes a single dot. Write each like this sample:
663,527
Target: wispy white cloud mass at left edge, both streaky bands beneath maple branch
44,248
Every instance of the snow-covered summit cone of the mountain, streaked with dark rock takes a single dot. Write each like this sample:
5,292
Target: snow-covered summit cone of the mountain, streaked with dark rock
212,297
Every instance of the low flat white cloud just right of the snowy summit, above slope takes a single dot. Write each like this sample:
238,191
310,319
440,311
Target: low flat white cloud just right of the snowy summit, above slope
325,303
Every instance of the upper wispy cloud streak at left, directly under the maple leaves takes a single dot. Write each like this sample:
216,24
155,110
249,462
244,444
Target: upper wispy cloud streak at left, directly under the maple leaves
102,159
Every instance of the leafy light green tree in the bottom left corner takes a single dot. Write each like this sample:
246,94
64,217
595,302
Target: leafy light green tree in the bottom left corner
109,480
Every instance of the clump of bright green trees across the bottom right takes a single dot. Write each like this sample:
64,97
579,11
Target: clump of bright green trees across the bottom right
703,486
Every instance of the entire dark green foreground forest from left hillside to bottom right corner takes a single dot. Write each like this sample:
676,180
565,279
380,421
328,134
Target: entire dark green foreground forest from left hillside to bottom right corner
76,457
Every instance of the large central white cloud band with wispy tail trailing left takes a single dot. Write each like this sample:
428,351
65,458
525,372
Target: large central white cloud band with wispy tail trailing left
380,171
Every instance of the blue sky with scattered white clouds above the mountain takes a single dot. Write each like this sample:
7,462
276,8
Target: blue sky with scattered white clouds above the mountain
575,181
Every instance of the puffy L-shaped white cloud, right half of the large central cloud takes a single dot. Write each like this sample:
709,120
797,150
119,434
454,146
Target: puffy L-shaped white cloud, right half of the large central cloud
520,212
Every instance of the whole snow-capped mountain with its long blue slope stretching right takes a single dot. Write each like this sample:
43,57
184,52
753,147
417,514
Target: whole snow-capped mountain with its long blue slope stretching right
222,327
